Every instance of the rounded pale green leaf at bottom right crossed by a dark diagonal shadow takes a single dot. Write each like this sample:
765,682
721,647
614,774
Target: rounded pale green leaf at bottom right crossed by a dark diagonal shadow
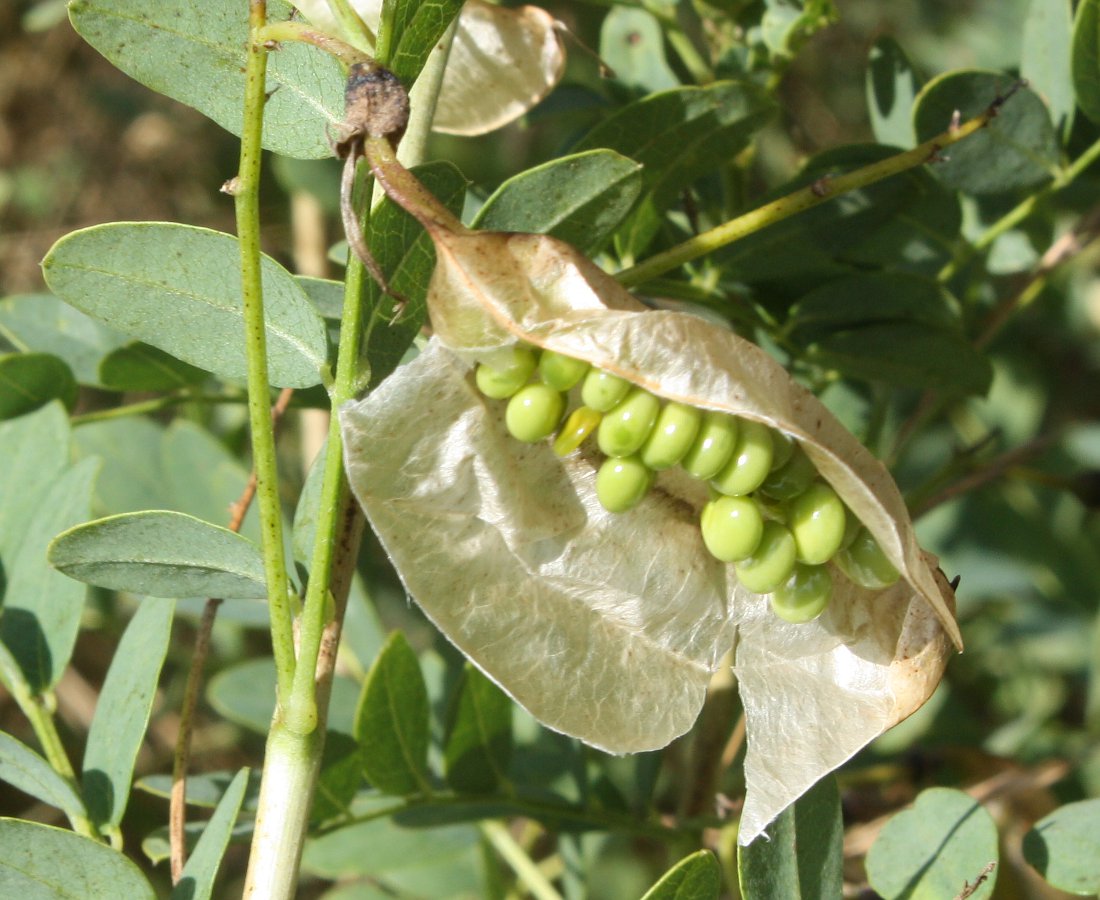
934,850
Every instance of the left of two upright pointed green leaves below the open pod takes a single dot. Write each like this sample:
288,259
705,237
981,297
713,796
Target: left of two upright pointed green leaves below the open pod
392,722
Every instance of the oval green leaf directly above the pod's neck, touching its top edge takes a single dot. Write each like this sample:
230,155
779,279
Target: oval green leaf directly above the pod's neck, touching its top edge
580,199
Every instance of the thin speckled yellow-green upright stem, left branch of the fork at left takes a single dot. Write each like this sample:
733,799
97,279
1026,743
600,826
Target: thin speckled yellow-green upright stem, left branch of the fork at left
247,197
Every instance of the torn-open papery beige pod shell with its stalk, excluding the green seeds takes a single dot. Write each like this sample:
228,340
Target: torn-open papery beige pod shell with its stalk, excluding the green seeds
610,628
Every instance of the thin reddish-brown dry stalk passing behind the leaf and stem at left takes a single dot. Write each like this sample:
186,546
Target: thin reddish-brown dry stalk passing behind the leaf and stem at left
182,758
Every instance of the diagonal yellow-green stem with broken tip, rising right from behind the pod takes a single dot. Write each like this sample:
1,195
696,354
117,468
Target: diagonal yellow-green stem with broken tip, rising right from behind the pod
820,192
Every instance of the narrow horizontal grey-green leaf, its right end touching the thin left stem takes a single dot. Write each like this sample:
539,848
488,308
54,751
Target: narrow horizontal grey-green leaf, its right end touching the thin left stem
161,554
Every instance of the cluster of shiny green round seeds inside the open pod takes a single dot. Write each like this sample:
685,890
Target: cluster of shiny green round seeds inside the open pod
771,515
